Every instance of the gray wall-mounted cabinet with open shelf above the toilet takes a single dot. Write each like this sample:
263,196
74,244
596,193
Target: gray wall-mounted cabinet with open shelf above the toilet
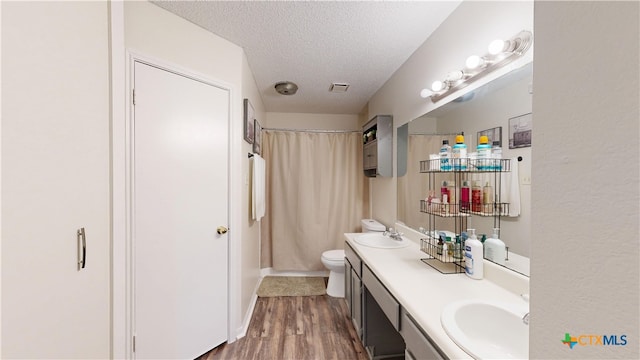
377,150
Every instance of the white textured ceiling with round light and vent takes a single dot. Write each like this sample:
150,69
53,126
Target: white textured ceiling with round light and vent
316,43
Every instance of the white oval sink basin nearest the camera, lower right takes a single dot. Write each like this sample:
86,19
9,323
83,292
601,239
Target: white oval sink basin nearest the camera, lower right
488,330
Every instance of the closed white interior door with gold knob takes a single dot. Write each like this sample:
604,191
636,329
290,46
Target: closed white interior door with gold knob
179,199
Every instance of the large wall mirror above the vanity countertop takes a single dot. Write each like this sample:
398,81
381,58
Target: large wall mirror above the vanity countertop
503,103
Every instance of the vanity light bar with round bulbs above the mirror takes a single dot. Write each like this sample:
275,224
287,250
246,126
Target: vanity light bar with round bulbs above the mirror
500,53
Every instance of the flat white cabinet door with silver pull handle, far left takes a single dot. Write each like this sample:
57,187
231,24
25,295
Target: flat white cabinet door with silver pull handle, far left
55,180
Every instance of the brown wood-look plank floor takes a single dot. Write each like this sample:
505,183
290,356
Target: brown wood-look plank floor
296,327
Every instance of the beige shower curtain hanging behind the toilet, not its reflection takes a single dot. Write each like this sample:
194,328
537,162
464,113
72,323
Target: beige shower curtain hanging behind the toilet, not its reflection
314,186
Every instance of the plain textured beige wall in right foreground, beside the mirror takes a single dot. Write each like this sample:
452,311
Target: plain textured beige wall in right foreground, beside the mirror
586,190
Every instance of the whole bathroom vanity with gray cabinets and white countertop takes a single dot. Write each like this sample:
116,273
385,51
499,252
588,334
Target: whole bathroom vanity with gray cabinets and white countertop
396,300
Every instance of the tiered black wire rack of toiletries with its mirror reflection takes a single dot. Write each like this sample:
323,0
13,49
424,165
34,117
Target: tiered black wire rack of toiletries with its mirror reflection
459,188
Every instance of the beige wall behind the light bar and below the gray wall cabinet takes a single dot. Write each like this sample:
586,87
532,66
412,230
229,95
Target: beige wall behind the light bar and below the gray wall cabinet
467,31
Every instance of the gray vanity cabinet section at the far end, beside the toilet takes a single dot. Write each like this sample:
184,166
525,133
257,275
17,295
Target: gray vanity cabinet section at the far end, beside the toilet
353,287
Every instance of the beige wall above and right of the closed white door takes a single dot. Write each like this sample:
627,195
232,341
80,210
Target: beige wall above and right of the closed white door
153,32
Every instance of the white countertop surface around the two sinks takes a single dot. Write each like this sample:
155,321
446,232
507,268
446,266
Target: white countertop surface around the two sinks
423,291
